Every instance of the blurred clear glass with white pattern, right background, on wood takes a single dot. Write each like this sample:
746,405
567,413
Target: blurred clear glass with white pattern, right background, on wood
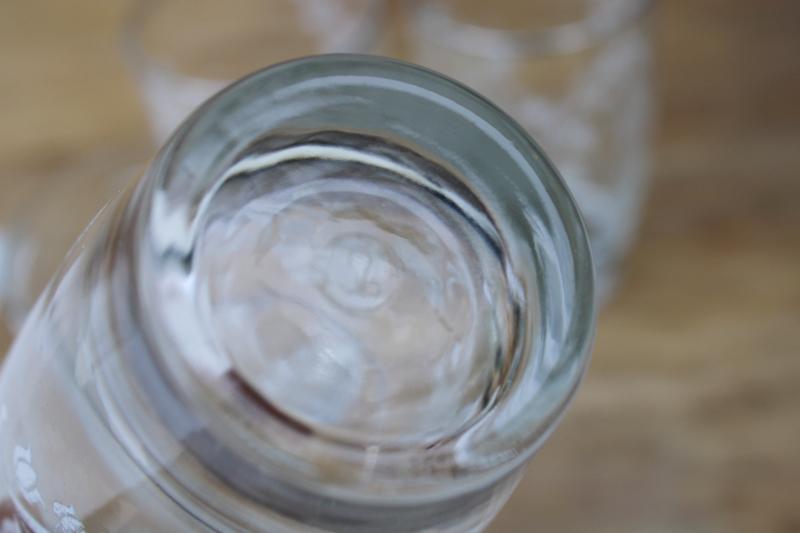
576,74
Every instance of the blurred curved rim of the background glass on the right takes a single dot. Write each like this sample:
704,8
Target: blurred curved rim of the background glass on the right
436,24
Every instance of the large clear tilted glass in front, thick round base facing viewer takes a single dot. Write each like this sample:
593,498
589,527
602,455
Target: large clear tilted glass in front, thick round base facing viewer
348,295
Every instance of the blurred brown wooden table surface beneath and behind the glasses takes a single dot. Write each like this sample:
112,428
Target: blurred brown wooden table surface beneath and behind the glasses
689,419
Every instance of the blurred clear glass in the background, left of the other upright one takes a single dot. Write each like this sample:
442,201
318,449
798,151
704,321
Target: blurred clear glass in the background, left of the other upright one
183,51
